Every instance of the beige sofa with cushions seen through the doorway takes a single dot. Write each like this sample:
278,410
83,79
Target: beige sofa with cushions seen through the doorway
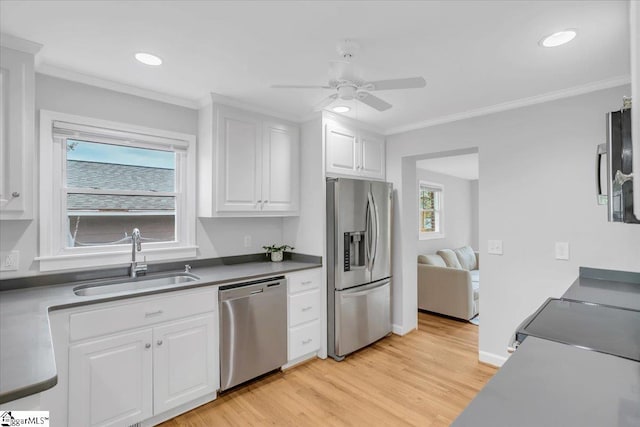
449,282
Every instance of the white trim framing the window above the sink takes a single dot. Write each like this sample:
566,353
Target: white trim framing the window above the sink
53,254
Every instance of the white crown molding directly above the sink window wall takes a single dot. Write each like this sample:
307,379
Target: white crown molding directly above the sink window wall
62,73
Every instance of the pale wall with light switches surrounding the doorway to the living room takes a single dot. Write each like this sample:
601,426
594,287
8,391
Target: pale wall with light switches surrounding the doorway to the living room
537,188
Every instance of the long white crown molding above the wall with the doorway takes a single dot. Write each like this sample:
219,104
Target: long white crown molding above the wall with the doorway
518,103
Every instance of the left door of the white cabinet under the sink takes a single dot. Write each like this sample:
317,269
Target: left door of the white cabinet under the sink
110,380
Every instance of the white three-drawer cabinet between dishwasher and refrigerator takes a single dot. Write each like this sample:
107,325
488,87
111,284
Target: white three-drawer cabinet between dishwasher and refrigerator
304,314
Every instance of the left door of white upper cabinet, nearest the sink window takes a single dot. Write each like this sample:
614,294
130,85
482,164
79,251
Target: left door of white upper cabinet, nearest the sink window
239,161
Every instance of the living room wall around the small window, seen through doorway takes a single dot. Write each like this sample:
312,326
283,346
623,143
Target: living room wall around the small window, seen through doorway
457,215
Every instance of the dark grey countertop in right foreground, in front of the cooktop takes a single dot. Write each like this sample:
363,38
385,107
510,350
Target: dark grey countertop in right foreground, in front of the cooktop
545,383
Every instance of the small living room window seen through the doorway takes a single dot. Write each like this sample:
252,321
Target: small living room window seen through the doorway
430,208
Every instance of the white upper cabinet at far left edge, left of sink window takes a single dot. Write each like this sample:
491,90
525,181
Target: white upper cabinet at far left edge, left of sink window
17,115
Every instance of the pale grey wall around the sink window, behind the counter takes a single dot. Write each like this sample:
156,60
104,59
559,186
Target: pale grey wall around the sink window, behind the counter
215,236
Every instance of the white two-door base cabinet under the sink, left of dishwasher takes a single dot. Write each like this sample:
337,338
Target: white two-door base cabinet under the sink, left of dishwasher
124,377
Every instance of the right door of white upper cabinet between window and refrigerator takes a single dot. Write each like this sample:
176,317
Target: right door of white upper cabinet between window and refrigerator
280,164
